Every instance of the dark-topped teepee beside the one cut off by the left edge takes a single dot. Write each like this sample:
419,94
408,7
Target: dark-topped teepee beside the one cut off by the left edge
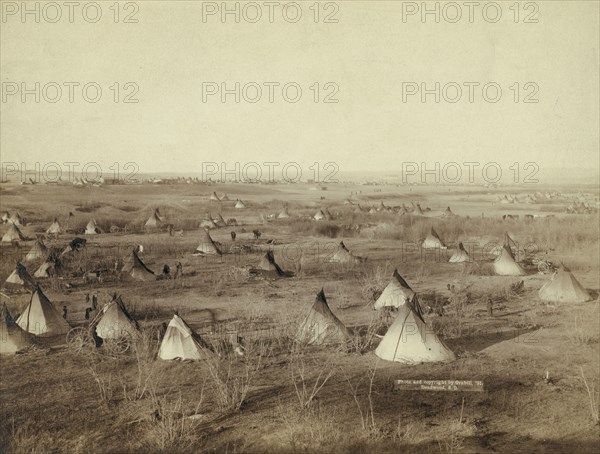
41,318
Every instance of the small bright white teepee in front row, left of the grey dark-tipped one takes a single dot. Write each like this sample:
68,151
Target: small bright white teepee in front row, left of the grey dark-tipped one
180,342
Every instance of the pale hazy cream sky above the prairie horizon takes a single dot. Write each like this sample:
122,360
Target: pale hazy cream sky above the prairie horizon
369,53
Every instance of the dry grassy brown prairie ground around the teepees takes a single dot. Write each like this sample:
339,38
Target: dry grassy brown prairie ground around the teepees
55,400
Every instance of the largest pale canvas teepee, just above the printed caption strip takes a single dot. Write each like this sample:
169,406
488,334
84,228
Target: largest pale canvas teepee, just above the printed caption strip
409,340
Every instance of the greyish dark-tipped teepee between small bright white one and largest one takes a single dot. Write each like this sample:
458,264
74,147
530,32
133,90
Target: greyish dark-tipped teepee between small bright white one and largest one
321,326
